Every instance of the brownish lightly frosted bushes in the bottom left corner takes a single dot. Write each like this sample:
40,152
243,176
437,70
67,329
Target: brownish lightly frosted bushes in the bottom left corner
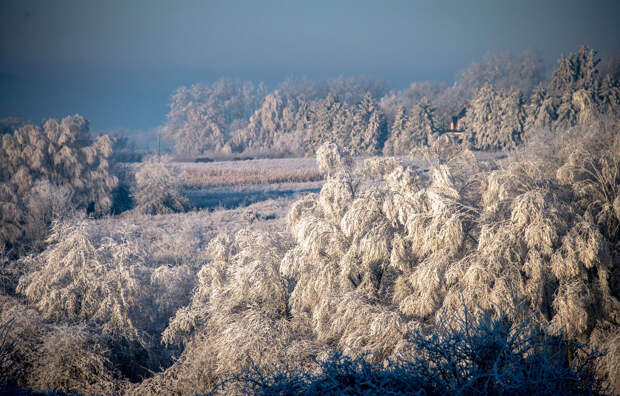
48,357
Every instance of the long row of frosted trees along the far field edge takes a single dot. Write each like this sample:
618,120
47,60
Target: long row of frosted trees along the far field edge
504,97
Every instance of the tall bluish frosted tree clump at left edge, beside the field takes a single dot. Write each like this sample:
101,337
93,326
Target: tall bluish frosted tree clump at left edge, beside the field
45,170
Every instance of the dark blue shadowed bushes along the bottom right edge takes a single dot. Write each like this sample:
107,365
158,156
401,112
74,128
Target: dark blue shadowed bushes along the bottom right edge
479,355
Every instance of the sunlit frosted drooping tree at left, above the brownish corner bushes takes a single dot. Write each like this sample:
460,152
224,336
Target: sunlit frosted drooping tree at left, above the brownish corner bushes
112,284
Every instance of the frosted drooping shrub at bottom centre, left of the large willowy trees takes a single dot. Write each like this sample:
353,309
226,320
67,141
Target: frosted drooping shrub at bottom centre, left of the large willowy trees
238,317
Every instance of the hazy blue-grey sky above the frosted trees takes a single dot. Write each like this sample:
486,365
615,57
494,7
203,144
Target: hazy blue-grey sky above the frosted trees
116,62
